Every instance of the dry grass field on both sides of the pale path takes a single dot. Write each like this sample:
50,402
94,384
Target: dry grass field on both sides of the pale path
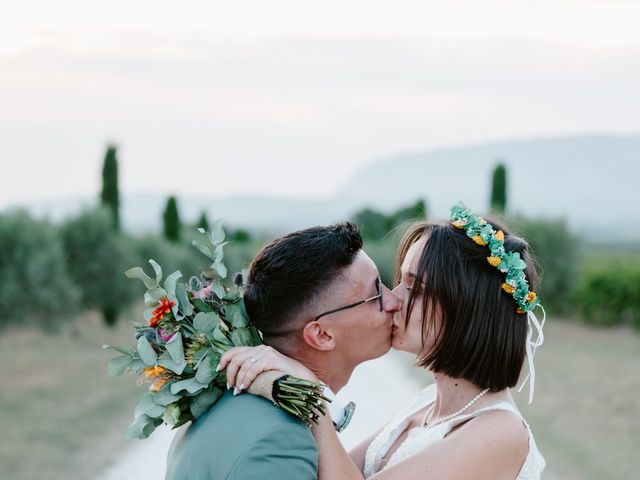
62,417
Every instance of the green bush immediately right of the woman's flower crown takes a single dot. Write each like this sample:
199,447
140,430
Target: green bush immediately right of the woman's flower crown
557,252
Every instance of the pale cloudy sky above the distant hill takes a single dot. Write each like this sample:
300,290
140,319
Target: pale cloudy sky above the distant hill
291,98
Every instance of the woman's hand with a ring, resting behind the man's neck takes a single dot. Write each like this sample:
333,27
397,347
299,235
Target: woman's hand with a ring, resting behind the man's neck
244,364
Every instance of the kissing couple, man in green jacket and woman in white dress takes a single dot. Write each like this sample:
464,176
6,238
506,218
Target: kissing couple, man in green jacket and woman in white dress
462,303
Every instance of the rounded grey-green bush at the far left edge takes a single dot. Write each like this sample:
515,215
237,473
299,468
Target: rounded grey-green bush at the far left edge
36,286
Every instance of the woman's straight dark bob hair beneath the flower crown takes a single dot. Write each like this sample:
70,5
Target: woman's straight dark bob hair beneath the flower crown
480,337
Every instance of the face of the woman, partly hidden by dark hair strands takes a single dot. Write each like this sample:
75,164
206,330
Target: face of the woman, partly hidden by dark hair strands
408,337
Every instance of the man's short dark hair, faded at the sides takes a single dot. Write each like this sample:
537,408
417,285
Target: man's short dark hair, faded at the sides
287,275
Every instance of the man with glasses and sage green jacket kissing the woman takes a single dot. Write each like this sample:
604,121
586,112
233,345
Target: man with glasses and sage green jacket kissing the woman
316,297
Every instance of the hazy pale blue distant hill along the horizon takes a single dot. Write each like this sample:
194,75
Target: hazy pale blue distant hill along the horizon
592,180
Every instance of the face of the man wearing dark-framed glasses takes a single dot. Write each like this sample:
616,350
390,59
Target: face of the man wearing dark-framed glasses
362,332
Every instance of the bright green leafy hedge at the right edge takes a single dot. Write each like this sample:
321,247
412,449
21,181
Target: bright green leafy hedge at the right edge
610,295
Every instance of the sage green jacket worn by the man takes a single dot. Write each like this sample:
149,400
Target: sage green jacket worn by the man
243,438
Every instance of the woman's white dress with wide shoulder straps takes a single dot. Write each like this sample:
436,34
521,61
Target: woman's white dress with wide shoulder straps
419,437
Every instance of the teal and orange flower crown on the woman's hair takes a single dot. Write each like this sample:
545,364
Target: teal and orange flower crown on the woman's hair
483,233
